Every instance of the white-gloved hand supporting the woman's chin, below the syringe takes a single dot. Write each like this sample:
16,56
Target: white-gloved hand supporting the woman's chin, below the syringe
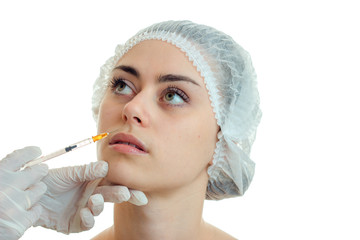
69,204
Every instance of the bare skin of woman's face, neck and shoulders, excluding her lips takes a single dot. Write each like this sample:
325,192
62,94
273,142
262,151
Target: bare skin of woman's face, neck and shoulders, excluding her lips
179,132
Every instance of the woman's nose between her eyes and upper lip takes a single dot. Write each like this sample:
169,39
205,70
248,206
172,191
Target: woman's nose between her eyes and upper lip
136,112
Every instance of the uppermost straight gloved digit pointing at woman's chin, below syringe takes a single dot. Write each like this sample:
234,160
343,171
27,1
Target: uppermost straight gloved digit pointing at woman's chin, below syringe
78,174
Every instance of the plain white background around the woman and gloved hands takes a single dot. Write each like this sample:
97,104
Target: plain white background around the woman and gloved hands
306,54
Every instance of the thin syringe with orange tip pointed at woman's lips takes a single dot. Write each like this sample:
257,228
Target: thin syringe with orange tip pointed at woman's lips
66,149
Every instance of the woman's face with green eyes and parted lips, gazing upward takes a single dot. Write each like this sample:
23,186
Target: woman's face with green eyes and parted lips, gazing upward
157,102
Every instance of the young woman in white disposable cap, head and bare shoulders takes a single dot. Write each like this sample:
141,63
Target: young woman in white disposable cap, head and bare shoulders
181,103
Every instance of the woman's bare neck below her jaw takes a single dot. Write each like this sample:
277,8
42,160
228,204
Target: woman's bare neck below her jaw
176,214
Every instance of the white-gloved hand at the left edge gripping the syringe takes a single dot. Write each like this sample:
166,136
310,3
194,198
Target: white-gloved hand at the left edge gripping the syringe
19,192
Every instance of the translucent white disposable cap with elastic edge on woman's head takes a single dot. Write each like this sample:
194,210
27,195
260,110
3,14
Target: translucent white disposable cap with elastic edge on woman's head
231,83
